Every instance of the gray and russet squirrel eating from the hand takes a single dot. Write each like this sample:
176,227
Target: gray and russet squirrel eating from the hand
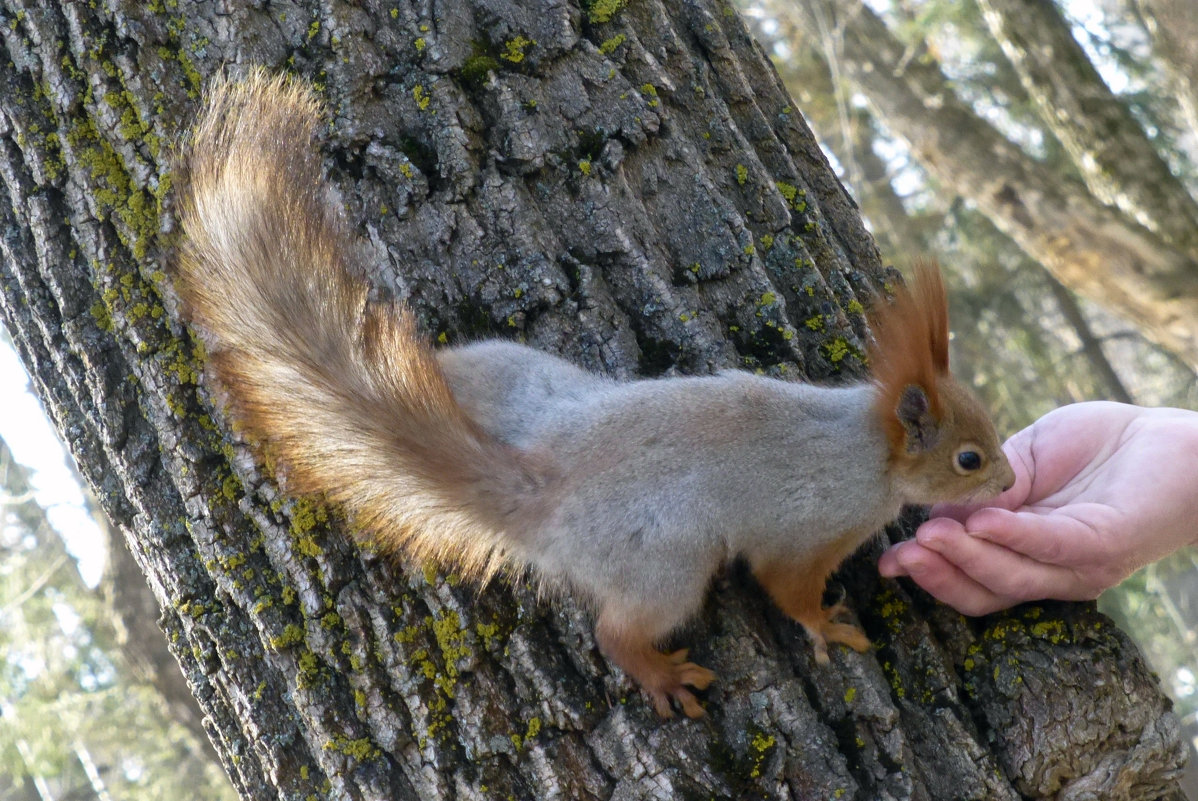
630,495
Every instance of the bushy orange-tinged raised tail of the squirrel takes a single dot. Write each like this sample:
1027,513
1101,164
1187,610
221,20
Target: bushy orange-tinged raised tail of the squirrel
341,391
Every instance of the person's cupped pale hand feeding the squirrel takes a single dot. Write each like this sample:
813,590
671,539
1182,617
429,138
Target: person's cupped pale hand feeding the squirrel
1102,489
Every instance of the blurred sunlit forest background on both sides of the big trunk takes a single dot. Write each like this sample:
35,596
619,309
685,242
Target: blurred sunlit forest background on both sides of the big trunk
1044,153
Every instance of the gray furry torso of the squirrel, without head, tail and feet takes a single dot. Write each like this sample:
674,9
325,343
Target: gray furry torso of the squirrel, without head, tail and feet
664,474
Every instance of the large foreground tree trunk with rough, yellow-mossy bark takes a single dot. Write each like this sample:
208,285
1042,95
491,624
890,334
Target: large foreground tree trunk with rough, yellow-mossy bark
630,186
